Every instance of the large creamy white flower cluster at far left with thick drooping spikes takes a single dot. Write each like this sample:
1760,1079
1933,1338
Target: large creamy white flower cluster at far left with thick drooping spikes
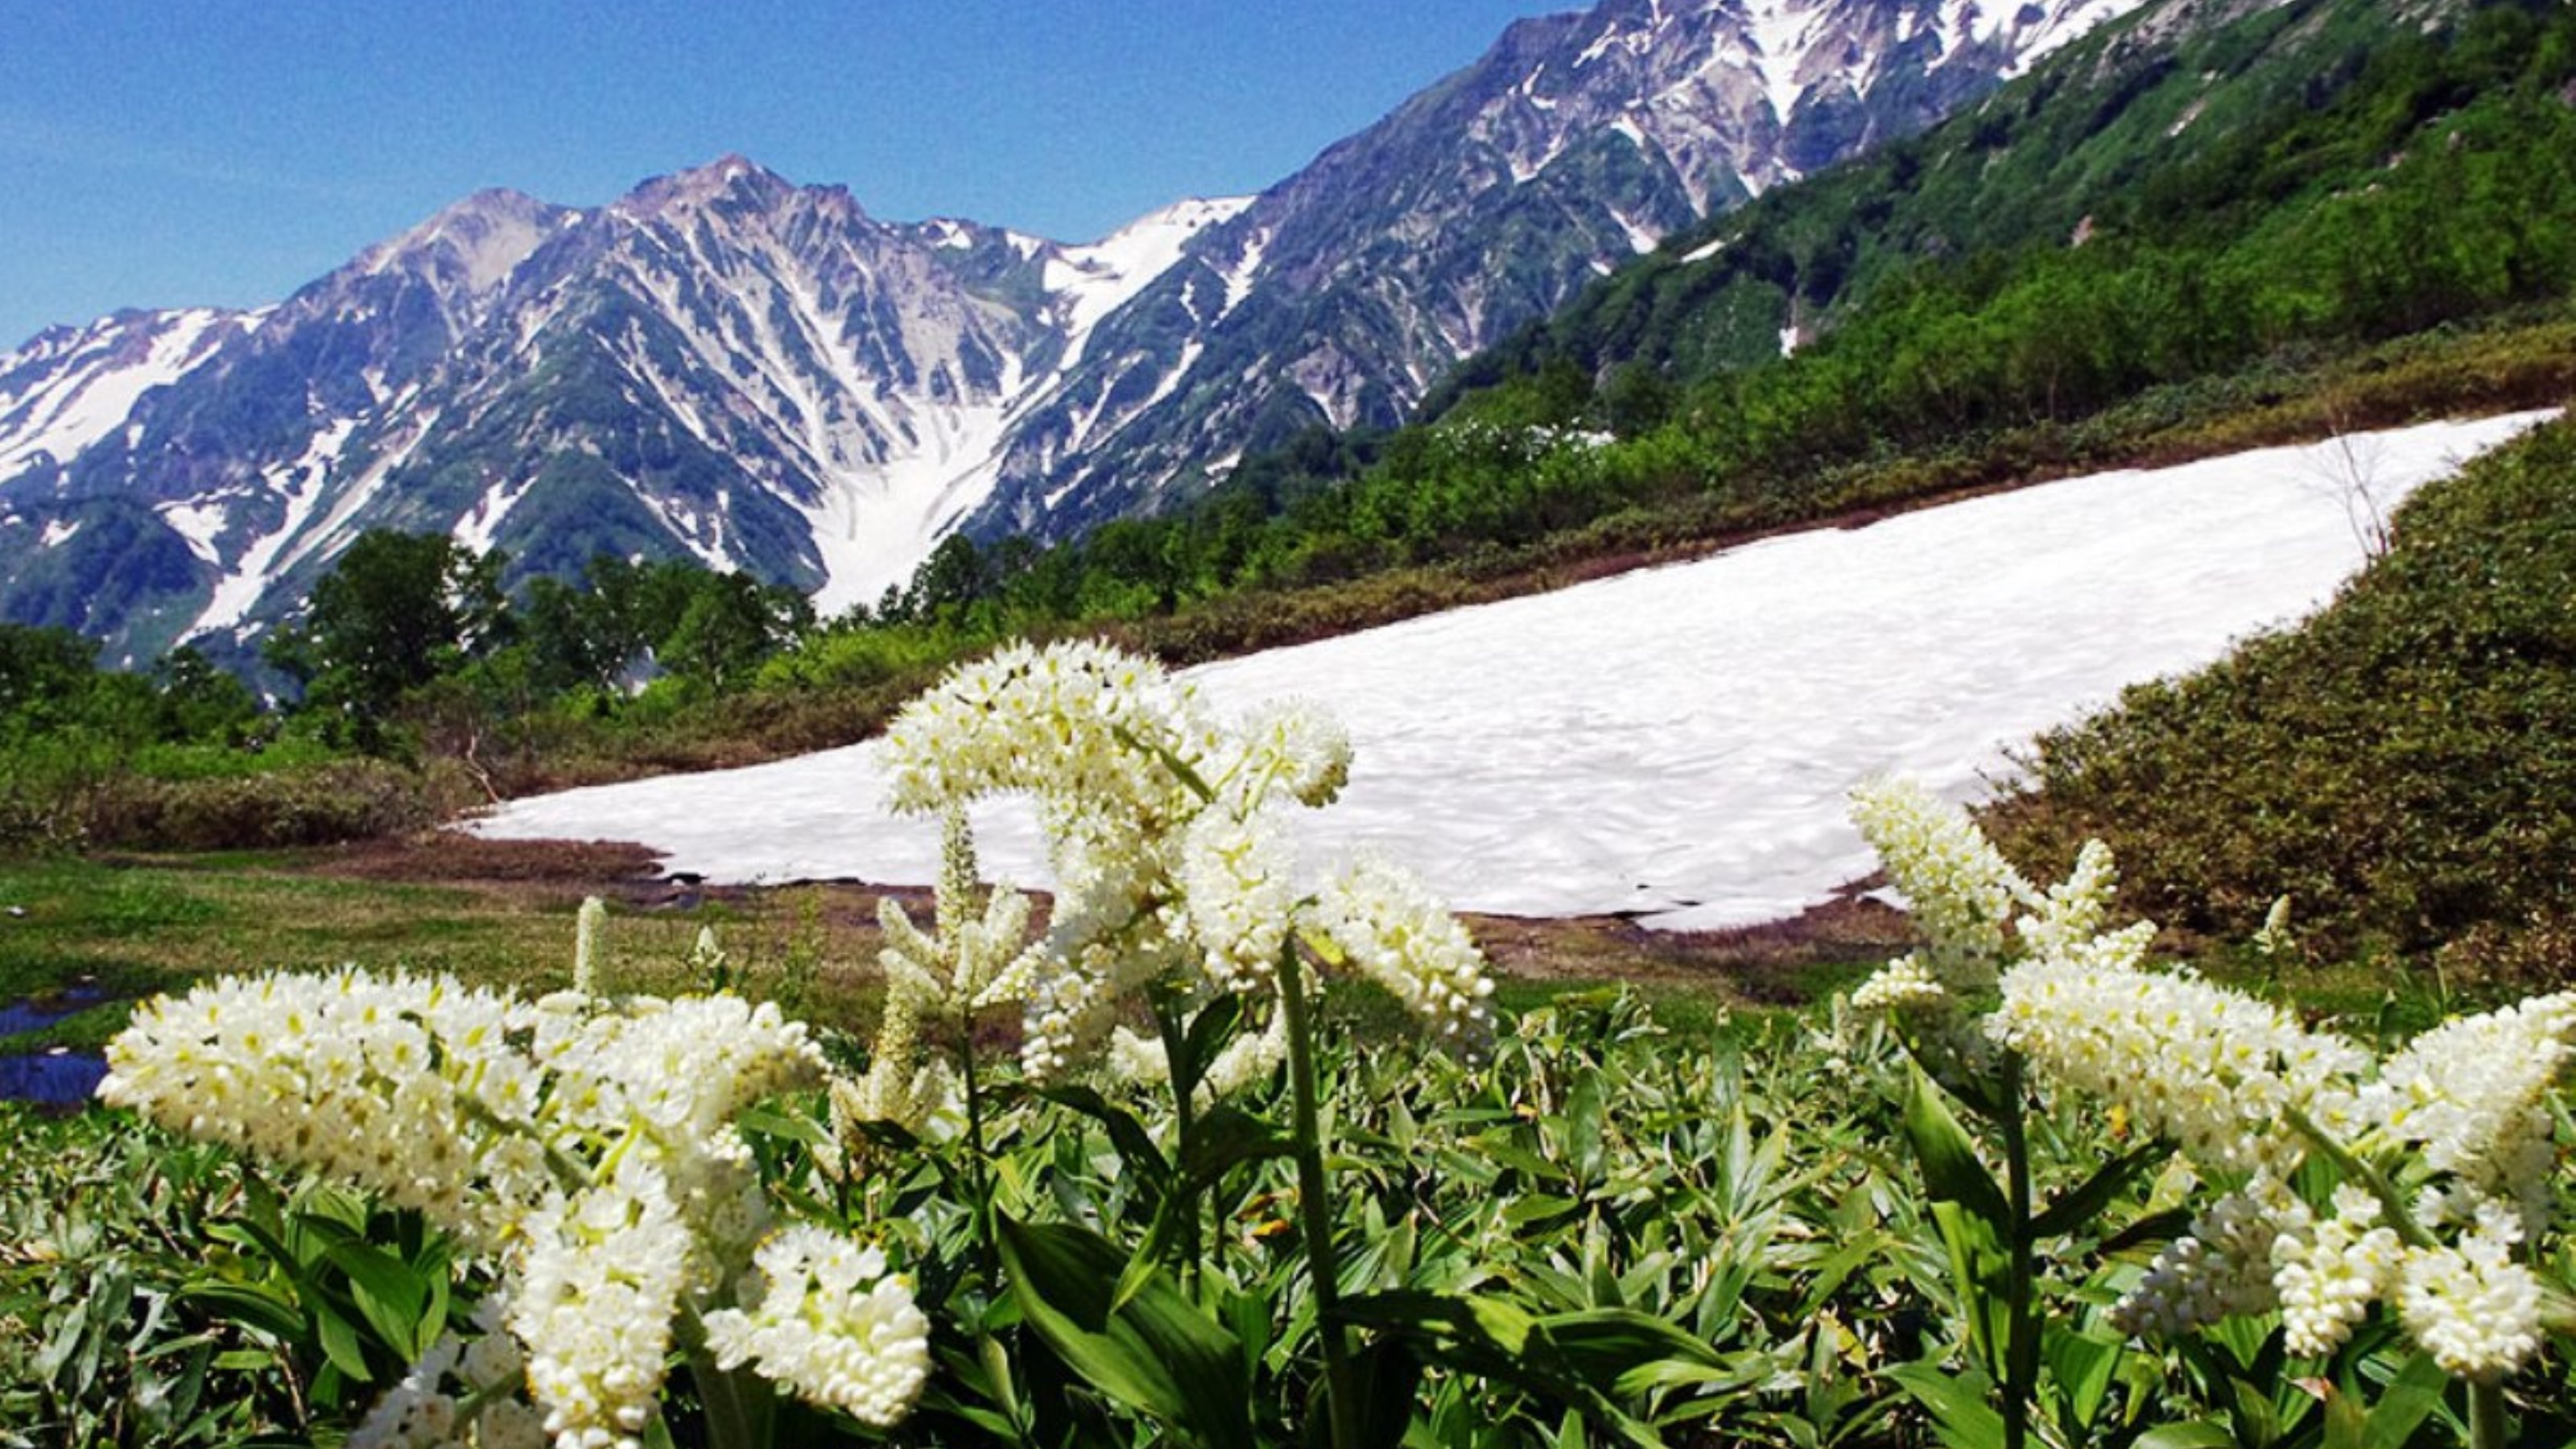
581,1146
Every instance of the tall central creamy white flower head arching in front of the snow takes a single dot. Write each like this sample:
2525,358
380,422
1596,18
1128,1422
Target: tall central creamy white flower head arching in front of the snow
1168,839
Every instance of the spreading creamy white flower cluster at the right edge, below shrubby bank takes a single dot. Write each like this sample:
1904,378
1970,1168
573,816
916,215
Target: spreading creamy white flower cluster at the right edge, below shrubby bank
2248,1092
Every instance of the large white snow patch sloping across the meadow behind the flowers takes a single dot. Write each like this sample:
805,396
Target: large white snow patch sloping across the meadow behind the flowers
1678,741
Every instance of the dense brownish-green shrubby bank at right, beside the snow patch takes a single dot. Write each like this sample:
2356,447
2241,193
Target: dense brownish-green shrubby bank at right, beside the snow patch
2405,764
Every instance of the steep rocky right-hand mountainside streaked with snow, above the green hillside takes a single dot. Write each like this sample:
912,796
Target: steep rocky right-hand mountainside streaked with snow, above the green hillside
1480,205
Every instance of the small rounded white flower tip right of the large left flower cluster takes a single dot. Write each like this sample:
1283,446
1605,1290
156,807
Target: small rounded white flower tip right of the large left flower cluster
833,1327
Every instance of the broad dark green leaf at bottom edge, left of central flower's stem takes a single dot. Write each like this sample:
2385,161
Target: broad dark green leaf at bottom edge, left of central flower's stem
1155,1352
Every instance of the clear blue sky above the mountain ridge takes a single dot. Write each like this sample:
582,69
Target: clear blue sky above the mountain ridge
225,153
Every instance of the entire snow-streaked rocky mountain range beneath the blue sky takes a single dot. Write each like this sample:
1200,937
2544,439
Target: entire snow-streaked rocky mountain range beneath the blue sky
759,375
